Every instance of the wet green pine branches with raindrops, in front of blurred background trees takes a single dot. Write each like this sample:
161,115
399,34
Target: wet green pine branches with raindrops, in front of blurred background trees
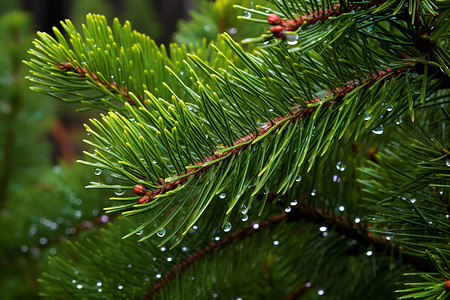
206,133
